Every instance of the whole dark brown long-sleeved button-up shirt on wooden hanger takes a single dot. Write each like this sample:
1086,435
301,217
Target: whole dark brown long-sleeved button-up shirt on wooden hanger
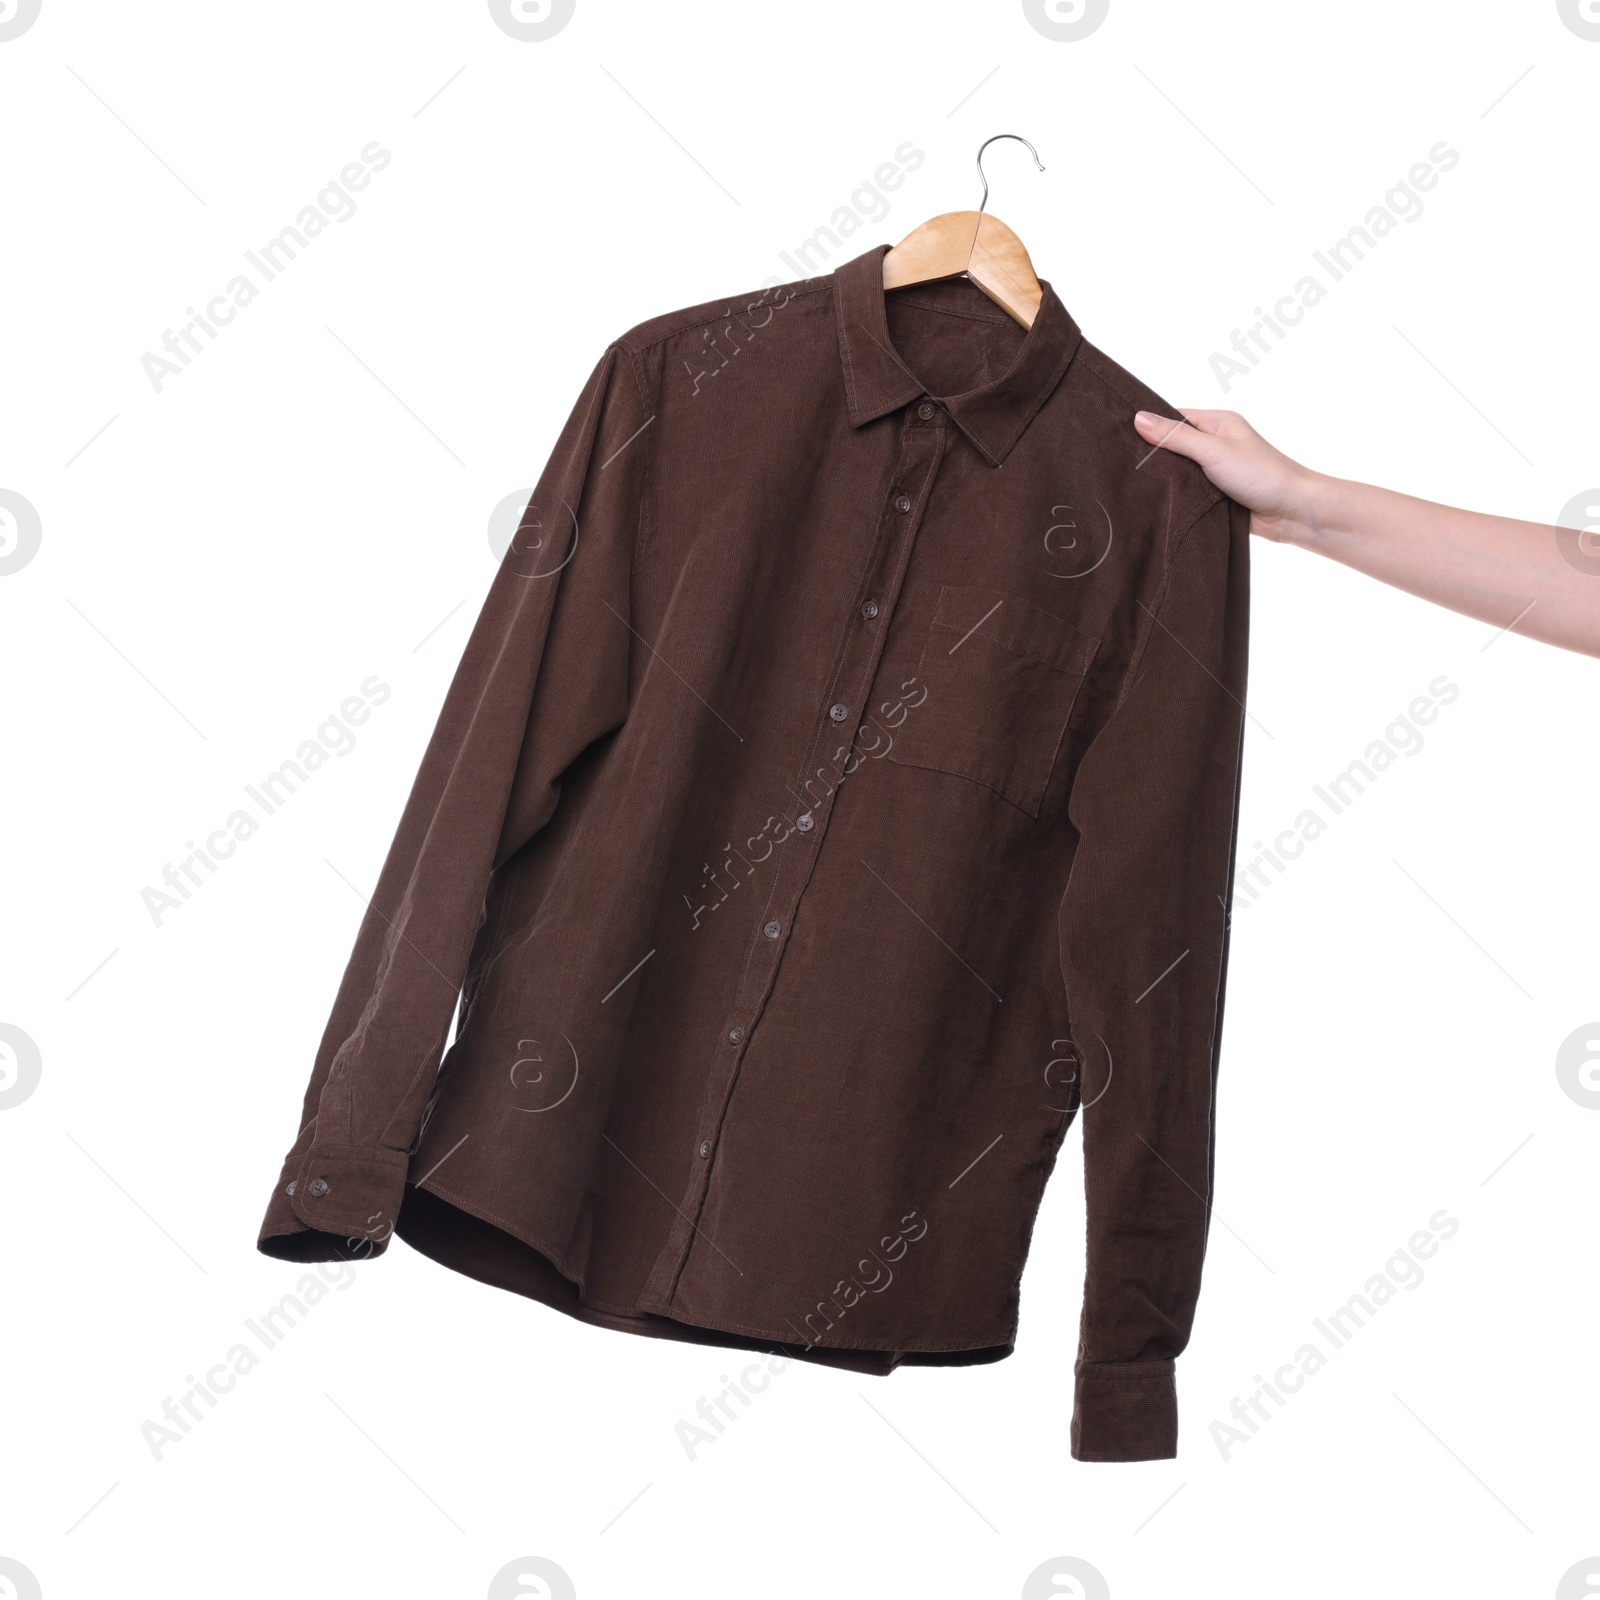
836,796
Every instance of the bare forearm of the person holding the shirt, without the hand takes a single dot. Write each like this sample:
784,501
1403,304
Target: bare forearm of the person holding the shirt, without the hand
1495,569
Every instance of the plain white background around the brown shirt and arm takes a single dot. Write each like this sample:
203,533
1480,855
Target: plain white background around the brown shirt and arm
226,561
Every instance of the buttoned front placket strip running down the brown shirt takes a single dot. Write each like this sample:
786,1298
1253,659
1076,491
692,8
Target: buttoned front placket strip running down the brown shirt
919,455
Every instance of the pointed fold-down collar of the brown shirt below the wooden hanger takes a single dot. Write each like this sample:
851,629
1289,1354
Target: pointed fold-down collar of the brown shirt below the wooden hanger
878,382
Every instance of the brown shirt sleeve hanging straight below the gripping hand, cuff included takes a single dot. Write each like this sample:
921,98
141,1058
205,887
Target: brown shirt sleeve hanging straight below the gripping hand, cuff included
1145,930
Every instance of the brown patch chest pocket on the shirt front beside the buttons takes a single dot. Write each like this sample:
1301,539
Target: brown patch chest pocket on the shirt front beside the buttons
1002,679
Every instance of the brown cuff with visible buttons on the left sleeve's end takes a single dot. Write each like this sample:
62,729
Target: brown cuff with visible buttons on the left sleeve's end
335,1204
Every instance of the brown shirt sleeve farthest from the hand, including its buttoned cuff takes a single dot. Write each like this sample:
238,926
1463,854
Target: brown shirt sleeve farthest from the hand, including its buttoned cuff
545,674
